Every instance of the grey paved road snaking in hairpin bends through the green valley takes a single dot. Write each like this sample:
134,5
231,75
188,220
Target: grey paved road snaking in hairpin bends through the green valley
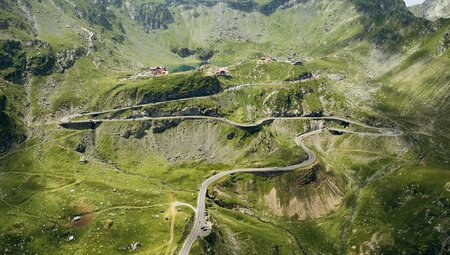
200,217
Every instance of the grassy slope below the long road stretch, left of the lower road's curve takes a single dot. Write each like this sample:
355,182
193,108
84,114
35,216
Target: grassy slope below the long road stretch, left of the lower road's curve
127,180
